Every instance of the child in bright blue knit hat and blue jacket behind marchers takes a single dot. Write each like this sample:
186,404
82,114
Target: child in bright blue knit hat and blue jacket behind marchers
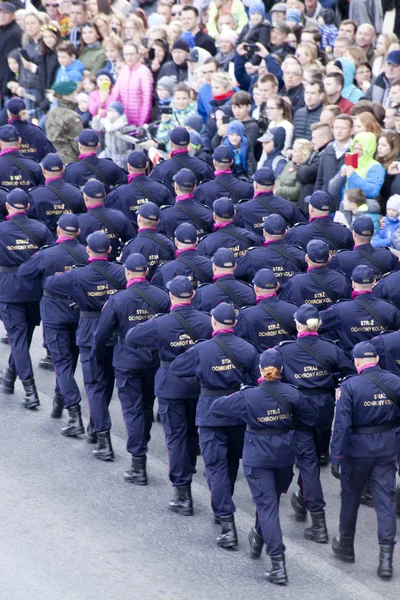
244,164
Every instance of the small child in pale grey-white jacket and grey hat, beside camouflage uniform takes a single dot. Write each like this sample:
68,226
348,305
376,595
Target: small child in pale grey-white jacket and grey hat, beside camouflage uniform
114,122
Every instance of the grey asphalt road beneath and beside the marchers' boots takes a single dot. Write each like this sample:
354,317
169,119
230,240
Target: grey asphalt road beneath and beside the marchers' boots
72,529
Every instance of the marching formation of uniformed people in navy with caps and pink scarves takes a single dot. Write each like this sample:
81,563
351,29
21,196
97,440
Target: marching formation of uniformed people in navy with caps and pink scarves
267,335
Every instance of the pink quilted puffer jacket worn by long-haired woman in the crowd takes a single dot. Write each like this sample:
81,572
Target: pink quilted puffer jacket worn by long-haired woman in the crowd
134,88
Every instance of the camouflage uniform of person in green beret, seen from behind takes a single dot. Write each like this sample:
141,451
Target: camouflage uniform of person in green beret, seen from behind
63,125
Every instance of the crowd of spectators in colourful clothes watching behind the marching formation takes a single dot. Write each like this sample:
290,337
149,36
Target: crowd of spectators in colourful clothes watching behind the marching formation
310,88
